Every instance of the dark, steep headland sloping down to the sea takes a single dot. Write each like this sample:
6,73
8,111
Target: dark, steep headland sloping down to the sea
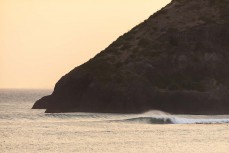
175,61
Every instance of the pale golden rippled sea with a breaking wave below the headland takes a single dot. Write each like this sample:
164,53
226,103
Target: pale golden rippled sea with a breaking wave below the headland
25,130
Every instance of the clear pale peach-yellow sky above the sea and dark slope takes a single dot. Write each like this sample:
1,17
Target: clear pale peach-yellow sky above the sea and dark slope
42,40
